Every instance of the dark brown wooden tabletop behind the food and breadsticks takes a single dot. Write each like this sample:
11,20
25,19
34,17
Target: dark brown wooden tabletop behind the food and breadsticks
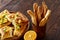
53,24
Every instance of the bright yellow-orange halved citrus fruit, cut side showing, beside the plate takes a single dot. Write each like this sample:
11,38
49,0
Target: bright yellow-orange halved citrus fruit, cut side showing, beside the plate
30,35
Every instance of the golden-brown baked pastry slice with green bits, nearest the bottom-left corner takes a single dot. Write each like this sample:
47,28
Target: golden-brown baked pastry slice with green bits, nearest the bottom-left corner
6,32
